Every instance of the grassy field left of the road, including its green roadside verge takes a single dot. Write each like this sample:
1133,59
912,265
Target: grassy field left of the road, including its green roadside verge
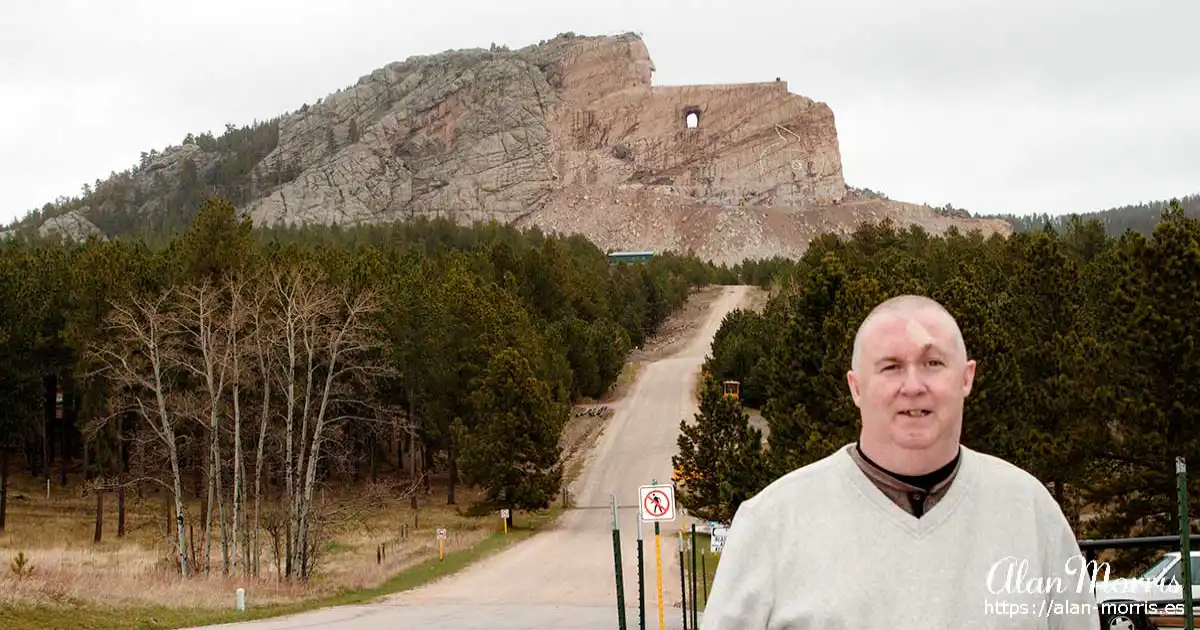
375,545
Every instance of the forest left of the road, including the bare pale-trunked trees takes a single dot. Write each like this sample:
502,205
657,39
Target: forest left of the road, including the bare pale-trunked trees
249,368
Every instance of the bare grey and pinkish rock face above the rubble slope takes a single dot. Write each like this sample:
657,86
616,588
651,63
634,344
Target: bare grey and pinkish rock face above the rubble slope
494,135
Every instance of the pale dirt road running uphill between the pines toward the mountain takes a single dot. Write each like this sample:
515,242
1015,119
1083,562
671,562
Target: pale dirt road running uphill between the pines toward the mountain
565,578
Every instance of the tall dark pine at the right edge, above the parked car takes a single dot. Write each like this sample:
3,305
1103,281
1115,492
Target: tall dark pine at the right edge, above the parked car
1155,412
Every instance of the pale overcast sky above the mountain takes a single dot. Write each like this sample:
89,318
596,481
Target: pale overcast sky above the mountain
1017,106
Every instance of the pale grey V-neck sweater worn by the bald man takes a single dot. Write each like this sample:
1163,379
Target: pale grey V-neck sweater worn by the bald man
824,549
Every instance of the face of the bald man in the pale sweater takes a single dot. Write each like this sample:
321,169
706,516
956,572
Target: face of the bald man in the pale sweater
911,381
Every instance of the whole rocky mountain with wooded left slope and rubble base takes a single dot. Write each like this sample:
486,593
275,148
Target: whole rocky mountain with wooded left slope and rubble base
569,136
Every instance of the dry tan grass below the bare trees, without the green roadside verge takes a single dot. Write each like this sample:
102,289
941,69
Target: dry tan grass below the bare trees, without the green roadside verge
64,566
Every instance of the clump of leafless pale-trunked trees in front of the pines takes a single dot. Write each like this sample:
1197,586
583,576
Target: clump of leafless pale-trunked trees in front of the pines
290,349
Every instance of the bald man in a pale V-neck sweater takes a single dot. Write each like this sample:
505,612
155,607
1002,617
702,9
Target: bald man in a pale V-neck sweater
905,529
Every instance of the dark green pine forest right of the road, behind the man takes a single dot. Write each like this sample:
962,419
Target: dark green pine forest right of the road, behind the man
1088,376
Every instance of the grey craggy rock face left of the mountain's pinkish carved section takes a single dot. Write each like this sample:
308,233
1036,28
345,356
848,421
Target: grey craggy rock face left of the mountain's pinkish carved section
461,135
